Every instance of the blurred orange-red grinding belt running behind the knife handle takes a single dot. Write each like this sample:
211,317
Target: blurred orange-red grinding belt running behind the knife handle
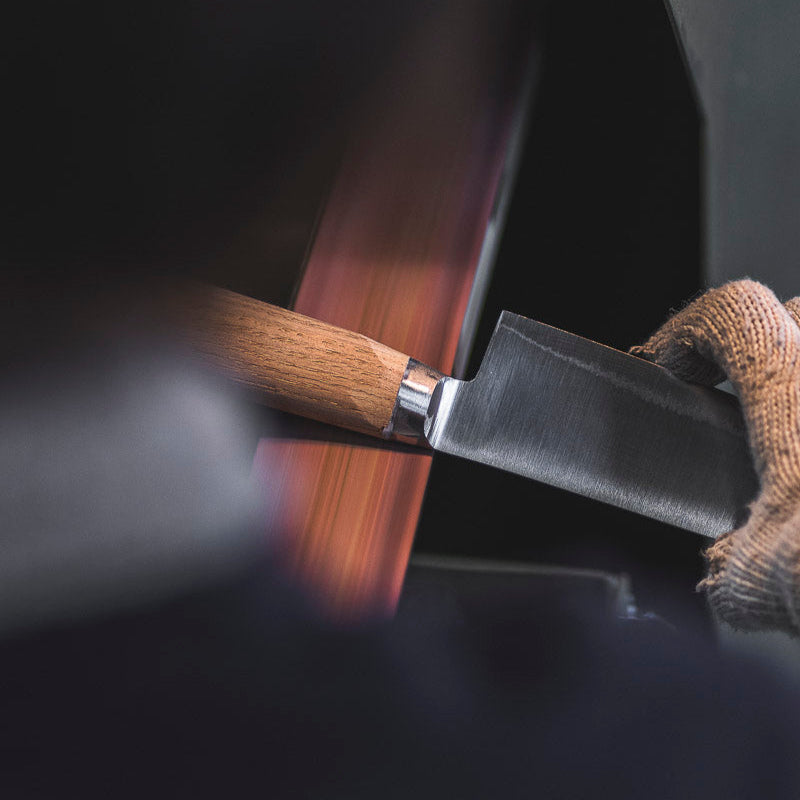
394,258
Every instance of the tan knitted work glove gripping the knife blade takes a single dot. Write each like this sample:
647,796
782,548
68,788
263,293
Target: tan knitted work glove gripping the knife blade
742,331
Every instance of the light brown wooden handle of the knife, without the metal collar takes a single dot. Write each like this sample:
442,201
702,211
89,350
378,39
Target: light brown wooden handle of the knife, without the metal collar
292,362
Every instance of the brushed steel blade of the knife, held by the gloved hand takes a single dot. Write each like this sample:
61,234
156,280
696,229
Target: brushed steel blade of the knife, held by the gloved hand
552,406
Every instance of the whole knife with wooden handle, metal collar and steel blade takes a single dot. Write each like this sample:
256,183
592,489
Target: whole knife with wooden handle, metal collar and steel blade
545,404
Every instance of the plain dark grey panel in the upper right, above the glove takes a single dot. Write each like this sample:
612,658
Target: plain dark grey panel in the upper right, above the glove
742,57
